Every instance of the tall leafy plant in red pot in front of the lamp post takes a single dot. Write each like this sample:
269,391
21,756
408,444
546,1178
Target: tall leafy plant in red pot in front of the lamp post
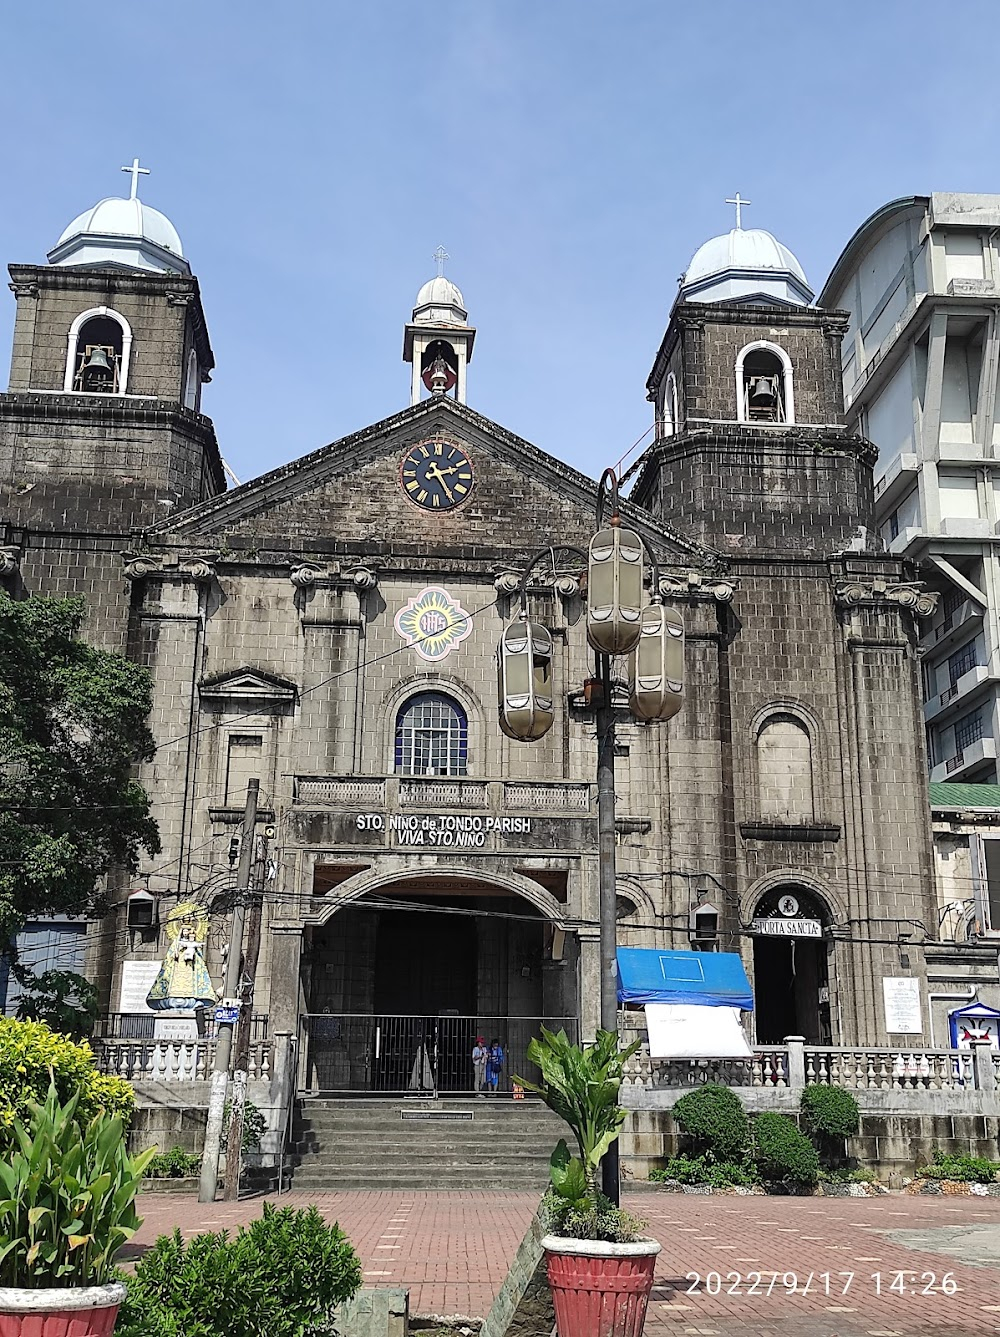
600,1264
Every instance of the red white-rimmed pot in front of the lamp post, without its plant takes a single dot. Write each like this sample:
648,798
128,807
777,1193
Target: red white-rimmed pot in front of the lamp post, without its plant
600,1290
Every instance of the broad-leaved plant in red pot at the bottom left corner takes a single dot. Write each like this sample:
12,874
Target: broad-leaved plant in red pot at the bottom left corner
68,1205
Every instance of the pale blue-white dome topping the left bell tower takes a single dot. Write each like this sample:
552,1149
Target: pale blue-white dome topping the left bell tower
122,233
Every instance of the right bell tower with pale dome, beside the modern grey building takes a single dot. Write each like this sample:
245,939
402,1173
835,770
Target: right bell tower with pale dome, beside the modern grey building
752,454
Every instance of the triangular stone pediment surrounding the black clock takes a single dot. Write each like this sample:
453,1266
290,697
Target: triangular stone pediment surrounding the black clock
350,498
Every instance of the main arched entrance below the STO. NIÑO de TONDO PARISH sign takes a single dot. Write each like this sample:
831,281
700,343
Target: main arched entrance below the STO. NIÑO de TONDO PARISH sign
404,974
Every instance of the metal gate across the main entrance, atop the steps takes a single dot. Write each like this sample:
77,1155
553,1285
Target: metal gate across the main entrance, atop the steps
416,1056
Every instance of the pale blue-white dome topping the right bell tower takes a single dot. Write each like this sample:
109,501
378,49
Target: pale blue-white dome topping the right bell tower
745,264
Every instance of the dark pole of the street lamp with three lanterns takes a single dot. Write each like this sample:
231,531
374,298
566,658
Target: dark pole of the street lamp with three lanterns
606,883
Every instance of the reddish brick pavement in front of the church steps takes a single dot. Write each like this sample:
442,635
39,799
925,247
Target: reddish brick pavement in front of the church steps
453,1252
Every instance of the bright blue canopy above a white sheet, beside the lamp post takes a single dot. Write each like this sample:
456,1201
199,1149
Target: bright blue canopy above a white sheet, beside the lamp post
712,979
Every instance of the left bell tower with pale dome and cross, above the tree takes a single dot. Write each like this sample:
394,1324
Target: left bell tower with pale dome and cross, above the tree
101,427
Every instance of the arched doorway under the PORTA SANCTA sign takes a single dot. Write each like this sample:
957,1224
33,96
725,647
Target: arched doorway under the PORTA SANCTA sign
792,966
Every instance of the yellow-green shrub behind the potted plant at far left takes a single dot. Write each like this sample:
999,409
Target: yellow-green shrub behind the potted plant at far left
31,1056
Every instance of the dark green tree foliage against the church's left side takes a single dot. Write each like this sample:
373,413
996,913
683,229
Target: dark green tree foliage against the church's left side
73,727
